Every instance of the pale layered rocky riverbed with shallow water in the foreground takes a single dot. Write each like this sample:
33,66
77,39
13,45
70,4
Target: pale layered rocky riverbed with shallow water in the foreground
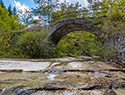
61,76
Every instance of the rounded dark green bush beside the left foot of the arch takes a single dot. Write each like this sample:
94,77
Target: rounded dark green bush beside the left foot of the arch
36,45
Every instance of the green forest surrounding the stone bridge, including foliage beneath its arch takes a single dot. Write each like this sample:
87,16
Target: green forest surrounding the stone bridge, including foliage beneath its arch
17,42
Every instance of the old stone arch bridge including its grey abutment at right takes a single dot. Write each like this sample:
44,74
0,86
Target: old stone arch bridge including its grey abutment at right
57,30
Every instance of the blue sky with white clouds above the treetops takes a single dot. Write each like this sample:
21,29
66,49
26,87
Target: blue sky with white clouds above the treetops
28,4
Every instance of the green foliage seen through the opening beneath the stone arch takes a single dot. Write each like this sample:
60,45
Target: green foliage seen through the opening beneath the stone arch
79,43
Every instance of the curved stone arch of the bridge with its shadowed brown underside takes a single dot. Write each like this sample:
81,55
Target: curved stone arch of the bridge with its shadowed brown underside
62,28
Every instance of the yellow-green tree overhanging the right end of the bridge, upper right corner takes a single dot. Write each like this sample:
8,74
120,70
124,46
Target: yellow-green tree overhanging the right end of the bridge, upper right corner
107,13
